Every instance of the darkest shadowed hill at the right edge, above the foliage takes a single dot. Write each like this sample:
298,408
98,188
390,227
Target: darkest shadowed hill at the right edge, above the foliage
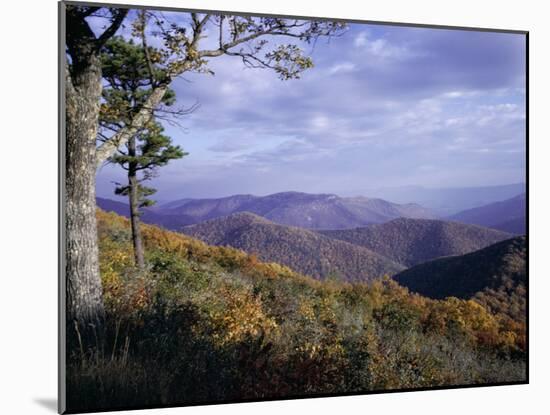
495,276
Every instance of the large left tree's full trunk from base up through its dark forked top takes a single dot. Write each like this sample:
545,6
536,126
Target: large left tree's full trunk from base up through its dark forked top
83,92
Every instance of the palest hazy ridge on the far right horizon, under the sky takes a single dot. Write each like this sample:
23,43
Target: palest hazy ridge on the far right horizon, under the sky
448,201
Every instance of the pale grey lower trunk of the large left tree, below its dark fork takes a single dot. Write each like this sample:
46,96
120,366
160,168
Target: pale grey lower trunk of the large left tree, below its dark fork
84,291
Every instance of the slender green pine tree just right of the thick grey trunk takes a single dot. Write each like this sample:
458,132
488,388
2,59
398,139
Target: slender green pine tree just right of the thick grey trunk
130,80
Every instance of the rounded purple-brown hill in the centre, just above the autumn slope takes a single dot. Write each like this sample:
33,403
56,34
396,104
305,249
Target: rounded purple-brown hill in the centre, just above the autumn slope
302,250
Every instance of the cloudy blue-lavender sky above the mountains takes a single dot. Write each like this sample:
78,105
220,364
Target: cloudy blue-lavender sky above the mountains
384,106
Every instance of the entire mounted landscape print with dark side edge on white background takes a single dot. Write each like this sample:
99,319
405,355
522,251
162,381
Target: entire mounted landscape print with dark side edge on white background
258,207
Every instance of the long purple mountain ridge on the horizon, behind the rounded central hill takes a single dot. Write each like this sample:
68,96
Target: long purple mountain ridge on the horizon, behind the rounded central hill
311,211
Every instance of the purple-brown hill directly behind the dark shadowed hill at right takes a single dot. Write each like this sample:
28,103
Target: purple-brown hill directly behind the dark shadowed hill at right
413,241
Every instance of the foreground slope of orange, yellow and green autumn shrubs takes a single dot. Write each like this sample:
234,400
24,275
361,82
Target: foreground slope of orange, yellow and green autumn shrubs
205,323
